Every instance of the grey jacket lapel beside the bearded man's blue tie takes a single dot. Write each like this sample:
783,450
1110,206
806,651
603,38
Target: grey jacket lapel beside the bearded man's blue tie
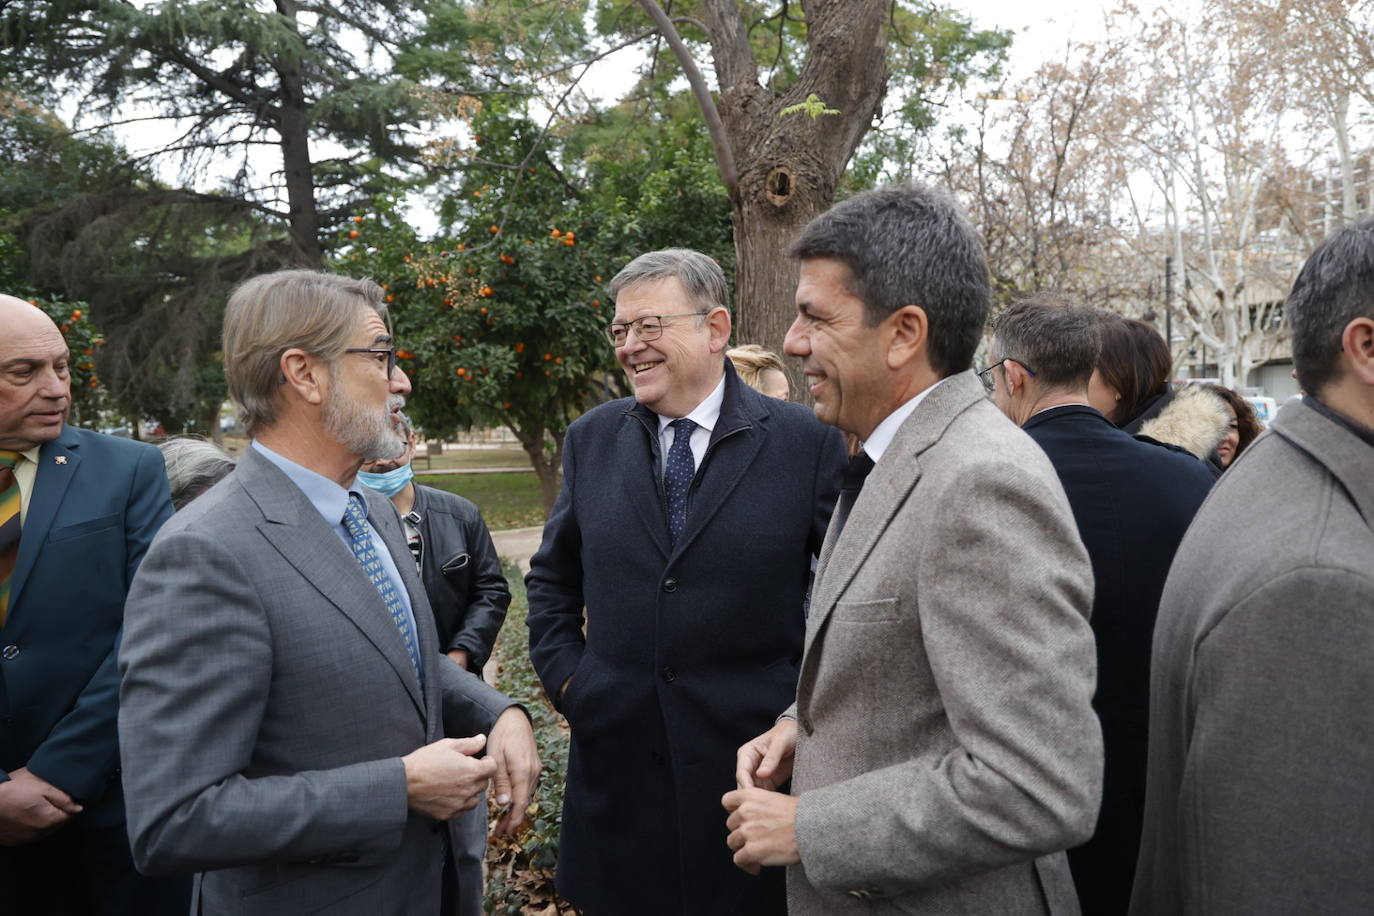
310,545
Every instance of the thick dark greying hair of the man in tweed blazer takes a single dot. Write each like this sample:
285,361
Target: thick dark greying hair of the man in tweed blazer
910,245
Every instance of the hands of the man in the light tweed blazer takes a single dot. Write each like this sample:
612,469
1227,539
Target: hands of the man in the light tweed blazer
763,822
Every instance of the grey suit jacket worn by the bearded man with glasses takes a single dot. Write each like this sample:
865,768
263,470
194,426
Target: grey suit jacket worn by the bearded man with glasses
267,701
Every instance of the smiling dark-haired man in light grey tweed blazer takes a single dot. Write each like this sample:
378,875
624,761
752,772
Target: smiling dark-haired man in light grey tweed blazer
943,749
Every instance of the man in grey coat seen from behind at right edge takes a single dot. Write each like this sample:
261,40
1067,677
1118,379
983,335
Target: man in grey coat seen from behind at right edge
1262,753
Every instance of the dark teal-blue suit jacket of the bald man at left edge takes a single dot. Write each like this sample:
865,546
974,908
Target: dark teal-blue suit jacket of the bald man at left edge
95,507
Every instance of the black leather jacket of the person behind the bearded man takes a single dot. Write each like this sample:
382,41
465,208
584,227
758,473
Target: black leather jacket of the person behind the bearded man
462,575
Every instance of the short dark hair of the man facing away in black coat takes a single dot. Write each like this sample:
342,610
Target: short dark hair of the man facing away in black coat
1056,339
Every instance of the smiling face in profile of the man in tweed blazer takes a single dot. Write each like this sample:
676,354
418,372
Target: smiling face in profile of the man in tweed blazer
840,354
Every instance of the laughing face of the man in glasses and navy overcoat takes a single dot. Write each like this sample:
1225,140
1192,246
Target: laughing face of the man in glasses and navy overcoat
677,371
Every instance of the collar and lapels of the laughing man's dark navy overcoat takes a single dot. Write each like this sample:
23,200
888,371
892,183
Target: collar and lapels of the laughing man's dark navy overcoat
744,417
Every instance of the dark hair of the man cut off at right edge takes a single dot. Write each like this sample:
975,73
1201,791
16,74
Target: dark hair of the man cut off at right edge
1335,288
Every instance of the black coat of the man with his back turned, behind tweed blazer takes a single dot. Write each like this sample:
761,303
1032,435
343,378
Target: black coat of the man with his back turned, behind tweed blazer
1133,502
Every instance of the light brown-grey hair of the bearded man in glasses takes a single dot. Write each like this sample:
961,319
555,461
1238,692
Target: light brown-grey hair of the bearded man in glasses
271,314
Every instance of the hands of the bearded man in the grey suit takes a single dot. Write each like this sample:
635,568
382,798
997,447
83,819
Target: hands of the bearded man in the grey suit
444,779
